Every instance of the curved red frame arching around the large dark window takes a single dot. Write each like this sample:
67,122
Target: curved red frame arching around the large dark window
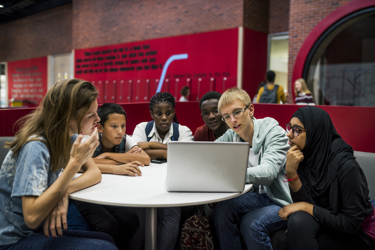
320,28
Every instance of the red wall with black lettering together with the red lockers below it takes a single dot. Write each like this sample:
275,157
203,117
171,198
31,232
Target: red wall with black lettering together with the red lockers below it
129,72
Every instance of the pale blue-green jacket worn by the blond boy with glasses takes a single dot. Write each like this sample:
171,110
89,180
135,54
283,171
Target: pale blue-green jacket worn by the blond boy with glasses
270,140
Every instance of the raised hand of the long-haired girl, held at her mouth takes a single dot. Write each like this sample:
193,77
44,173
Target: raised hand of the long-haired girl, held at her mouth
82,151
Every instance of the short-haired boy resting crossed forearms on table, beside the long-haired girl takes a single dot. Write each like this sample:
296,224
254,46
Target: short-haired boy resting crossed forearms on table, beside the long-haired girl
117,153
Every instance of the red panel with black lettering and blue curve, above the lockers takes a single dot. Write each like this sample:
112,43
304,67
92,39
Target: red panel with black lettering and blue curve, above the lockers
145,59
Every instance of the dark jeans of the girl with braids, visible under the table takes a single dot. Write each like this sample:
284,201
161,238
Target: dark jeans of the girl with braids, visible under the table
168,227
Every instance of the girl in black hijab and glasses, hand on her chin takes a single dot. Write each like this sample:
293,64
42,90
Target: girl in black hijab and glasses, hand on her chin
331,208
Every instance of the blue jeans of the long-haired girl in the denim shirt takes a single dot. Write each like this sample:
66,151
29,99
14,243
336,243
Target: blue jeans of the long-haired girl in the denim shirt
71,240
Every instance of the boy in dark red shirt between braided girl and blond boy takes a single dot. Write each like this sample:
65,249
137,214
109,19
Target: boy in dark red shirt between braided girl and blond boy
214,126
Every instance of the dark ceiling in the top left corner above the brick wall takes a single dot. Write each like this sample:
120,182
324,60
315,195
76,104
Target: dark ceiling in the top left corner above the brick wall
16,9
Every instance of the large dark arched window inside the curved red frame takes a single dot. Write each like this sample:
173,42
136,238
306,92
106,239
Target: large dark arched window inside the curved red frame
340,69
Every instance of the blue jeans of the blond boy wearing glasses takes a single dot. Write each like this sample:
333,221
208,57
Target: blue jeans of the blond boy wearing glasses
251,215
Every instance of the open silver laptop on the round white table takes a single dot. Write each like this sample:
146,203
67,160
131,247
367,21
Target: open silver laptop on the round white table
207,166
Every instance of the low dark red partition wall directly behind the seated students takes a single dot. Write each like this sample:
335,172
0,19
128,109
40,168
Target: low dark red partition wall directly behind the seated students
354,124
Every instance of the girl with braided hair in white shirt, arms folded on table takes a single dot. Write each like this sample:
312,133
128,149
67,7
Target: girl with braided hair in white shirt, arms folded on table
153,137
